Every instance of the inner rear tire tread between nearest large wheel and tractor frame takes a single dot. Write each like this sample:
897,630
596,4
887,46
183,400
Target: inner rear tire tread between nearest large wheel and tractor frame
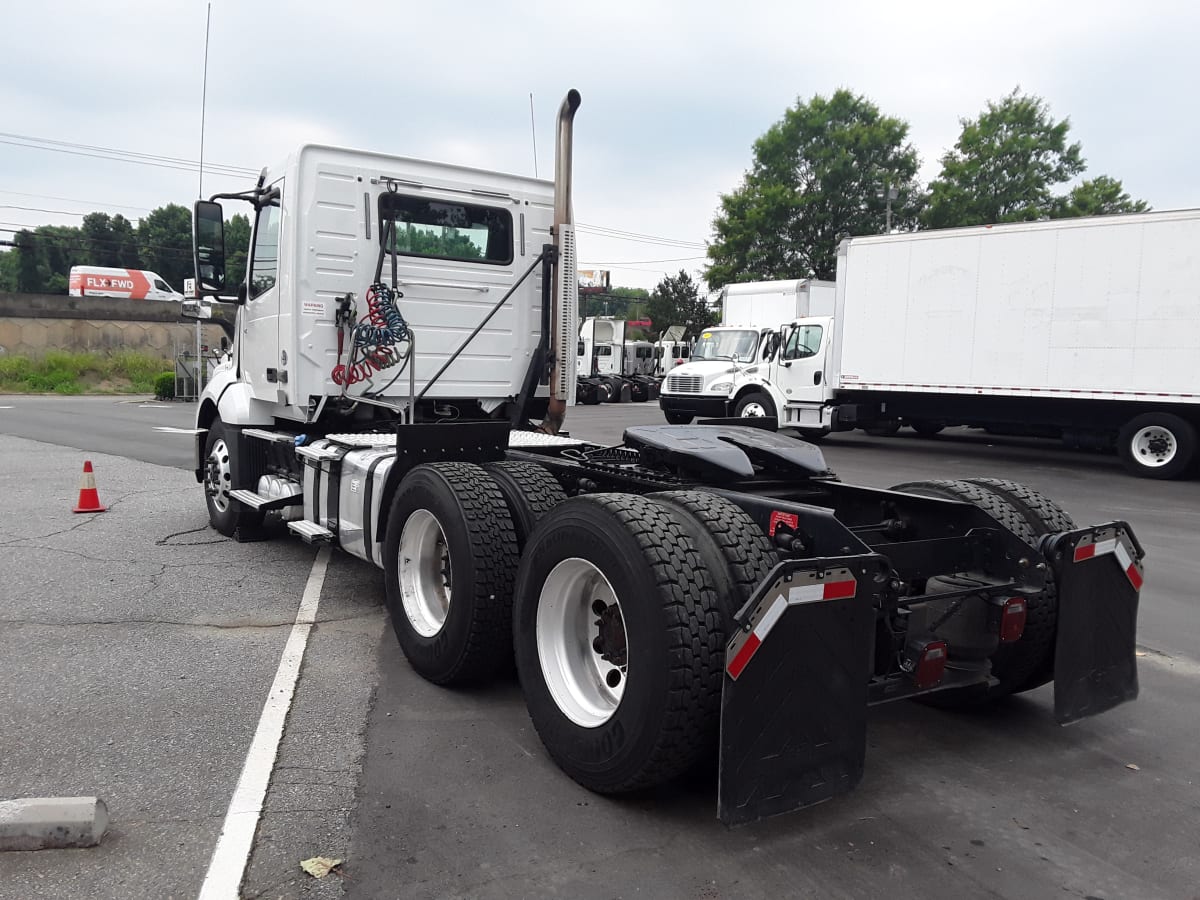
736,551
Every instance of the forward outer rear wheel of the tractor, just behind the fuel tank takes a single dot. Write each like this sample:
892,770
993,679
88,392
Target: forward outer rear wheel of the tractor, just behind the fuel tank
449,561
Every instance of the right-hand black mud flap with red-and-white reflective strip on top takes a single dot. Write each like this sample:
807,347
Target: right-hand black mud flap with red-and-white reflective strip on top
1099,573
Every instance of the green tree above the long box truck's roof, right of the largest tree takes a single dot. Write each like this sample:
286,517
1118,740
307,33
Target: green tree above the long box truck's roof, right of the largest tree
1004,166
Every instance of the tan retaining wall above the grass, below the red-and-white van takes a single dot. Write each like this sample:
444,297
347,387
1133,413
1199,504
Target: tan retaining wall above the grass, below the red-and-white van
33,325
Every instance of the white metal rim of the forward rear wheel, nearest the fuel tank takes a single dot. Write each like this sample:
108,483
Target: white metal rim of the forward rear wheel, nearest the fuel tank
424,568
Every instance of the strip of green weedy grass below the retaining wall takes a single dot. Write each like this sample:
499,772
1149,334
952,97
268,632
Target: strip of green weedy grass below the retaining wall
62,373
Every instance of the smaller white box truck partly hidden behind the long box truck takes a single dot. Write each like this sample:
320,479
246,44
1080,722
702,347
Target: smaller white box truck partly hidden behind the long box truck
701,387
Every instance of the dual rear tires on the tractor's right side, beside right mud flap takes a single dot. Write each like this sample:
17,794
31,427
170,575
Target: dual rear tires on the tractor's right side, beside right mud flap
1029,514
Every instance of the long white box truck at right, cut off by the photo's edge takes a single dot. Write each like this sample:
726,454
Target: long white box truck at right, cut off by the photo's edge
1085,329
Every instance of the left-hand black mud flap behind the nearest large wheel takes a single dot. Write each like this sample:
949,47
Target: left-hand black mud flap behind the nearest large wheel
794,709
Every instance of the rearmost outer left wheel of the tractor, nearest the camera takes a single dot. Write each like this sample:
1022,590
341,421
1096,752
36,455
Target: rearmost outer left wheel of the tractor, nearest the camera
619,641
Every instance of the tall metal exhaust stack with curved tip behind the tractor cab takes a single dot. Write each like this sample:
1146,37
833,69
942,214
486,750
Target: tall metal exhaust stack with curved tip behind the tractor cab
565,303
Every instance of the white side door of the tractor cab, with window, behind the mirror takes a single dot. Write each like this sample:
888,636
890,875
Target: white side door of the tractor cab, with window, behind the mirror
261,316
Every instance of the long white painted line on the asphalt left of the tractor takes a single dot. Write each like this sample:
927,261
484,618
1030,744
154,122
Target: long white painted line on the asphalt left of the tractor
229,863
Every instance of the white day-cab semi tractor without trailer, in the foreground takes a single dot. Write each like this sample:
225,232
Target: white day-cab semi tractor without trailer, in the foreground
403,363
